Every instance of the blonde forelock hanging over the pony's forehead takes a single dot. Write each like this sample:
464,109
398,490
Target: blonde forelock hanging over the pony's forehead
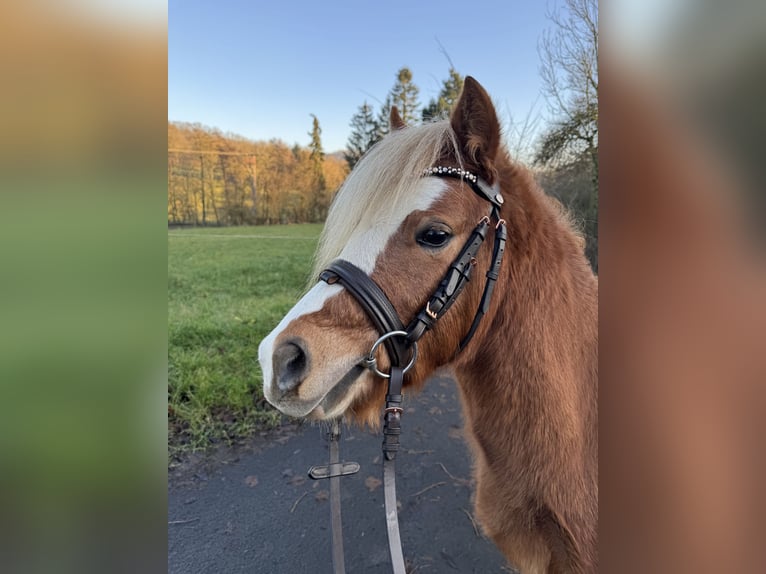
386,174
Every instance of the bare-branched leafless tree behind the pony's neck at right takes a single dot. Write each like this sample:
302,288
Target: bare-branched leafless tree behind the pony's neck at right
569,71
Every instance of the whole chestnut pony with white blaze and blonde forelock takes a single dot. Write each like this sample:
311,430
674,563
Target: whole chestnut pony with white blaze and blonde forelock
528,376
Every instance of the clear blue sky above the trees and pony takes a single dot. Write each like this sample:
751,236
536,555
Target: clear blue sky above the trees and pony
260,69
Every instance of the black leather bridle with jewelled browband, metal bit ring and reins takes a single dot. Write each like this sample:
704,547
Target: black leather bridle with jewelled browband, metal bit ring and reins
401,345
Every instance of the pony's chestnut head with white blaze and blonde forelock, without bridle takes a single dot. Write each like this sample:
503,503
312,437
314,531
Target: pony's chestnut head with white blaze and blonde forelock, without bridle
403,230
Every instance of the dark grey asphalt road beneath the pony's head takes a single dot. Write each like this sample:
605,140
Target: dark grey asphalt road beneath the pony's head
256,511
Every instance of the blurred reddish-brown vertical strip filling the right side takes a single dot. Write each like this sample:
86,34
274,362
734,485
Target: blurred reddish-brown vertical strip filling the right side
683,290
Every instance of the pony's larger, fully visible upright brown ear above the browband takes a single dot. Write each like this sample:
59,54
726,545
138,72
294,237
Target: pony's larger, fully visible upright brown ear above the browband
475,123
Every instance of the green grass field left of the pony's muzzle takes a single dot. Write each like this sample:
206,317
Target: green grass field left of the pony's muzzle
227,288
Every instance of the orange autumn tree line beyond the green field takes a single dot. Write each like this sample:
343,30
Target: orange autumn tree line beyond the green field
225,179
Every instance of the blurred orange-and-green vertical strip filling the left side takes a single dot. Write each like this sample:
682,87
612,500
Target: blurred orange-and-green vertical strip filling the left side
82,279
